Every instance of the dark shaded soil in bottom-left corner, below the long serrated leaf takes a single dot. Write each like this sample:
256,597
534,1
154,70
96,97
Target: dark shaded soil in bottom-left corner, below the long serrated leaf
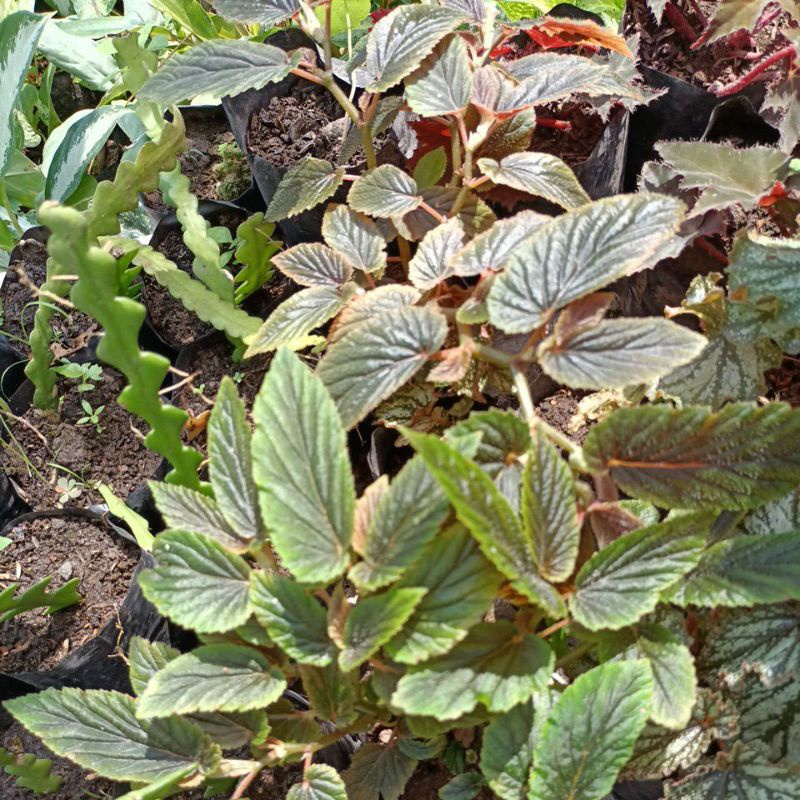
76,784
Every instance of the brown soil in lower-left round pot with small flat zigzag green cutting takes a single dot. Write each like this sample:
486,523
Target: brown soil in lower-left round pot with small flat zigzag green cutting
63,548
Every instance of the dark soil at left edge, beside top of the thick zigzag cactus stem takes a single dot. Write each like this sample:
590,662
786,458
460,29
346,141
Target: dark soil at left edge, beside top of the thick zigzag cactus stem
70,327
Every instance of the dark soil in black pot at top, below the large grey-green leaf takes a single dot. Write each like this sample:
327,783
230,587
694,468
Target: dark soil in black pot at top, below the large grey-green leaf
307,123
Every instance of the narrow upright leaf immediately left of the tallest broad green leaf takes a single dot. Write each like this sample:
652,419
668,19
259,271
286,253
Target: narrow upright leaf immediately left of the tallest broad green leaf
230,465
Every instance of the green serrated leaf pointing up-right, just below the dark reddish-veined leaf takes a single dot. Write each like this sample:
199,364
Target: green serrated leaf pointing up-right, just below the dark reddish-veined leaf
623,581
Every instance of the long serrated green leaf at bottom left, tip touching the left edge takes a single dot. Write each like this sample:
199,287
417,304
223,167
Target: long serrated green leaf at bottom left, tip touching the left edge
99,731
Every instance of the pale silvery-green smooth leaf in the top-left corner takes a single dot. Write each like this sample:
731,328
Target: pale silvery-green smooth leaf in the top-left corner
19,33
